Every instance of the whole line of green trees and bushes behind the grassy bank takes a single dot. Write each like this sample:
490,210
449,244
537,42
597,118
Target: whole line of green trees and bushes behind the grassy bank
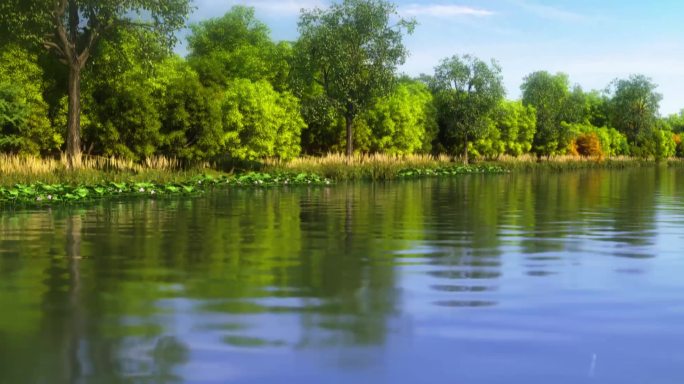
241,95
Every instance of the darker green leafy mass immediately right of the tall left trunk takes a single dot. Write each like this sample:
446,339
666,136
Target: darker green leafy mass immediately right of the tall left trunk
120,94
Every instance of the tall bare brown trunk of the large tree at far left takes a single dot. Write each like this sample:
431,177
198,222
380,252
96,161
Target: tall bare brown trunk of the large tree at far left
74,116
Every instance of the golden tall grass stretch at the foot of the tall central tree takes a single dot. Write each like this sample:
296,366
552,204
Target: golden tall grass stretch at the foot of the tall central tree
373,166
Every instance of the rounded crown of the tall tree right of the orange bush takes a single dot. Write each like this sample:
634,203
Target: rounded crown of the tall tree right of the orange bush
633,108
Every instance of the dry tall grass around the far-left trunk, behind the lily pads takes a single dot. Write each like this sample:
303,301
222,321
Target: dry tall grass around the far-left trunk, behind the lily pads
91,169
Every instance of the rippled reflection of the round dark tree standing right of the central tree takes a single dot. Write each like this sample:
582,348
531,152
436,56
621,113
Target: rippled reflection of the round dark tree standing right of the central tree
466,214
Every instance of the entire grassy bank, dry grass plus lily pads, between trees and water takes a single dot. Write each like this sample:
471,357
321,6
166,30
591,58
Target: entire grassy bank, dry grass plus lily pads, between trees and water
34,181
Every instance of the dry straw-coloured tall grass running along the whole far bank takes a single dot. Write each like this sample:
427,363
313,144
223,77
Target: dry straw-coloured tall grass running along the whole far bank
94,169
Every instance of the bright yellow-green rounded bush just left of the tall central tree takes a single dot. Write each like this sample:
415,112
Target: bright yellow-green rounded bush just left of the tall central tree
259,122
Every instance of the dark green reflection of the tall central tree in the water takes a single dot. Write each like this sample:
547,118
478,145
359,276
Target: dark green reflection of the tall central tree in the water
350,291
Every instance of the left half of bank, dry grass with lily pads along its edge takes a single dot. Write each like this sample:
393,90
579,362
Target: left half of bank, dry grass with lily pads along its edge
41,182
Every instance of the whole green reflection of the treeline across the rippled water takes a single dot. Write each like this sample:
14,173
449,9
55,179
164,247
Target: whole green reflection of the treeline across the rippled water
251,258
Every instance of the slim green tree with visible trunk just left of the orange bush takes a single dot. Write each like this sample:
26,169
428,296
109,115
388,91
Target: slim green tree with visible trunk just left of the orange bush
548,94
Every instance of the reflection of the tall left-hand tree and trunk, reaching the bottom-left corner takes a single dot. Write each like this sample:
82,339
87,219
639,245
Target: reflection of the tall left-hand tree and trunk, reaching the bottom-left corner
76,340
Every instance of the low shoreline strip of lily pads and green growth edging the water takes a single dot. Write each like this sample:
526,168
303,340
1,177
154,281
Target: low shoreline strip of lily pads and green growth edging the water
307,172
